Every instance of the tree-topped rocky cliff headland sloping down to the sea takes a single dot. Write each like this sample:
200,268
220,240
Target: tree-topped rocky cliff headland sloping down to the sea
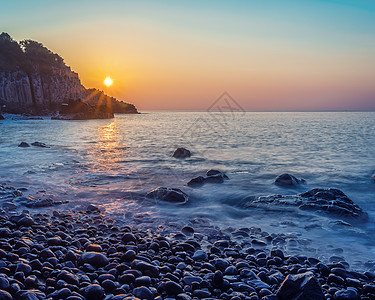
34,80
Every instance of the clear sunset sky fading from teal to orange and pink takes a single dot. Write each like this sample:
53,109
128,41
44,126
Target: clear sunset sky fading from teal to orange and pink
269,55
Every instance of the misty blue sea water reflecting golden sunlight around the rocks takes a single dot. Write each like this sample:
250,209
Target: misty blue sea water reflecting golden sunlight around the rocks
114,163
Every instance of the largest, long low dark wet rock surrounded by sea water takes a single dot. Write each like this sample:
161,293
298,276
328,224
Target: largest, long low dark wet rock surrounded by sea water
330,201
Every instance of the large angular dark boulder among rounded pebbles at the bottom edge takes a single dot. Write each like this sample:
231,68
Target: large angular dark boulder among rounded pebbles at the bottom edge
301,286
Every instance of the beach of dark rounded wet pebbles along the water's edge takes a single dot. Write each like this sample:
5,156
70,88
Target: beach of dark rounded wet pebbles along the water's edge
87,255
